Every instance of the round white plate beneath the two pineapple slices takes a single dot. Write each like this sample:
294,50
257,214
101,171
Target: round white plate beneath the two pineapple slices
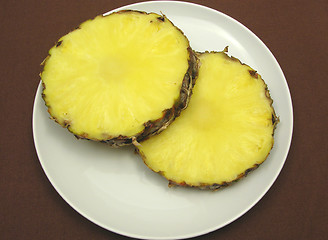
114,189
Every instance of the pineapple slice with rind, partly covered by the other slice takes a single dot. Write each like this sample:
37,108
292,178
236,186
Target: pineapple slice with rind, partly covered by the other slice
226,131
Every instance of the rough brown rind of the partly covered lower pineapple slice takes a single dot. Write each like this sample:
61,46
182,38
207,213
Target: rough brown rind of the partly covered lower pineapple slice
218,186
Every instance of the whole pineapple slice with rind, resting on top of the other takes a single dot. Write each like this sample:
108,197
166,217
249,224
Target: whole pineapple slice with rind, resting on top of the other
119,78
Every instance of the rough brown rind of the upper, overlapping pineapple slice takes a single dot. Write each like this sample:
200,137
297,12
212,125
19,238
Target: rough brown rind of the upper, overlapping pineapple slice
151,127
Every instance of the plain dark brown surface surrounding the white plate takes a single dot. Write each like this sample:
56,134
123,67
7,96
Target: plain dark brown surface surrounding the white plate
296,205
